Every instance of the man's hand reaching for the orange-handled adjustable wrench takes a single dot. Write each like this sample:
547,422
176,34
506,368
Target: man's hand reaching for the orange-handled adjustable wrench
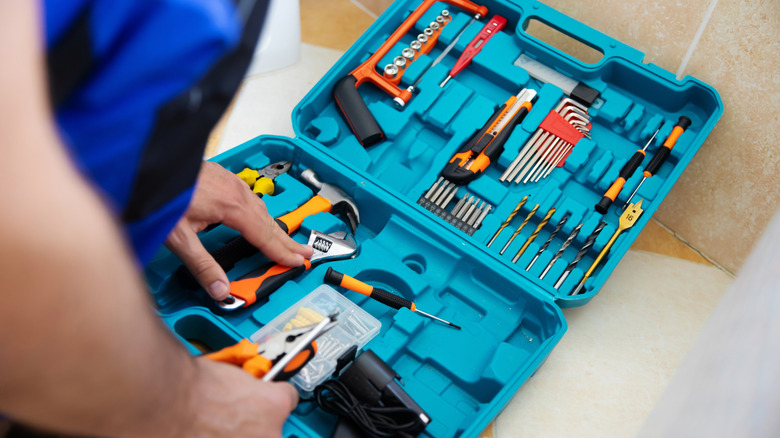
221,196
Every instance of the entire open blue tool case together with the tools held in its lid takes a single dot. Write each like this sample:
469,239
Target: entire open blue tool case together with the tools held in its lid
493,175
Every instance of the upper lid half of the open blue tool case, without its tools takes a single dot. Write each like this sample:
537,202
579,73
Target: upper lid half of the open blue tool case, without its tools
634,99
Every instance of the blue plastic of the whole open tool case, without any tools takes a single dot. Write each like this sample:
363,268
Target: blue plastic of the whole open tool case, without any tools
511,319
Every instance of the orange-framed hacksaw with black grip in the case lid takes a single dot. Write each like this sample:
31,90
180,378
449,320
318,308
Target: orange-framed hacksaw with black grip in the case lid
359,118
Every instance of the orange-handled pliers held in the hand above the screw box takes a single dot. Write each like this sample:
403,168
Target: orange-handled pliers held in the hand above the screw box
280,356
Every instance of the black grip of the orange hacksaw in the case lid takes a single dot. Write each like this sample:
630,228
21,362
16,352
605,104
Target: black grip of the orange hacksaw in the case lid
355,111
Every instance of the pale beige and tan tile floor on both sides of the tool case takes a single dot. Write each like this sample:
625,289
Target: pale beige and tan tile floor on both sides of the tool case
620,350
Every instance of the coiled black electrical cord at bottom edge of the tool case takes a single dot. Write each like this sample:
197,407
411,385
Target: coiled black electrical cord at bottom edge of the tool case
335,398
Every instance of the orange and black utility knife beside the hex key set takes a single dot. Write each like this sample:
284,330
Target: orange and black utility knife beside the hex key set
487,144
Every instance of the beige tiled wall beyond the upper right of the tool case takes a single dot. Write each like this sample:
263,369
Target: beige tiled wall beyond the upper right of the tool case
728,193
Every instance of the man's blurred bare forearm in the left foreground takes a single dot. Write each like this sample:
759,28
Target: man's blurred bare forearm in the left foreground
81,349
